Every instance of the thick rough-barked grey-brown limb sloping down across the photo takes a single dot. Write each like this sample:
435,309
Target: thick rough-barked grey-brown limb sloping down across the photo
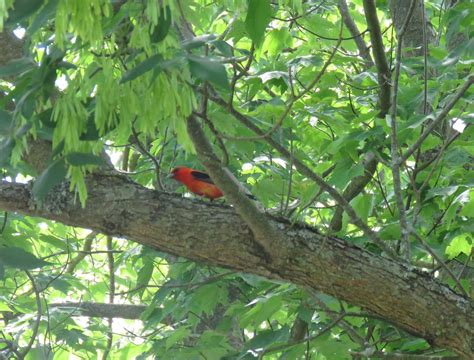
215,234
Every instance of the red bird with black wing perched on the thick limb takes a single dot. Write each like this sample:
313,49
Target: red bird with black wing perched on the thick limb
197,182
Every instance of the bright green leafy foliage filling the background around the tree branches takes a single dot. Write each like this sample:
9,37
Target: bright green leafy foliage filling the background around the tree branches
121,77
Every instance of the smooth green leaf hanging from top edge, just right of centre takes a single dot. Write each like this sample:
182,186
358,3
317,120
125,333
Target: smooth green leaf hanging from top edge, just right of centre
258,17
